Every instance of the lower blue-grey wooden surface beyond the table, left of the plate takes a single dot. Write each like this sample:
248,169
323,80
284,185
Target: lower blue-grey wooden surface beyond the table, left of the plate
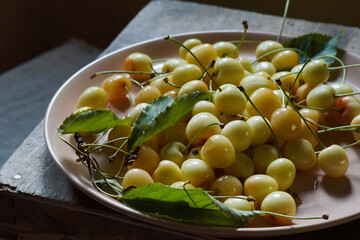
27,89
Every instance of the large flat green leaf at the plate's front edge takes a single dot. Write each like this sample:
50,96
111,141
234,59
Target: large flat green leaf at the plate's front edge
191,206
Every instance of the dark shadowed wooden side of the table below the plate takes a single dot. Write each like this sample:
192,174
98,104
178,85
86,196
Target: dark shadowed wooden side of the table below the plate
44,219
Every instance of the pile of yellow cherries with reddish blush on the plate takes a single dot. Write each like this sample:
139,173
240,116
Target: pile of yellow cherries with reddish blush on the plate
249,139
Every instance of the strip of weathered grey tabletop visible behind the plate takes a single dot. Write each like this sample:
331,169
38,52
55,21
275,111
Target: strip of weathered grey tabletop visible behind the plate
162,18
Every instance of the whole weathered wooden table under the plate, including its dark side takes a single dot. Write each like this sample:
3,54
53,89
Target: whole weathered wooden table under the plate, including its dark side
38,202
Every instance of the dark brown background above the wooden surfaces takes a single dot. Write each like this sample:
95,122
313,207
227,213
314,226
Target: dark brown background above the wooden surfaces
30,27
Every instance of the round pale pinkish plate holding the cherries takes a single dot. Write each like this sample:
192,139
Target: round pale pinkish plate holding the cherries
320,194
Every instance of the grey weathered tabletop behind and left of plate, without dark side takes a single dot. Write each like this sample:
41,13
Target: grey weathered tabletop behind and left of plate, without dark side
30,170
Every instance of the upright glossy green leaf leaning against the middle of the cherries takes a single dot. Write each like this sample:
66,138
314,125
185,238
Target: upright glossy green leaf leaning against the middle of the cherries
160,114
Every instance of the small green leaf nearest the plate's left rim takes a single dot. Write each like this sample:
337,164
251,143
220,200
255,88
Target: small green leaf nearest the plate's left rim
92,121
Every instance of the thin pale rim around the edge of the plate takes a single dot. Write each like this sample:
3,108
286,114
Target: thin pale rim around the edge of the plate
189,228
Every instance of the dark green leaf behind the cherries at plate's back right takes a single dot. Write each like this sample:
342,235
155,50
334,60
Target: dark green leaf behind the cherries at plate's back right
315,45
